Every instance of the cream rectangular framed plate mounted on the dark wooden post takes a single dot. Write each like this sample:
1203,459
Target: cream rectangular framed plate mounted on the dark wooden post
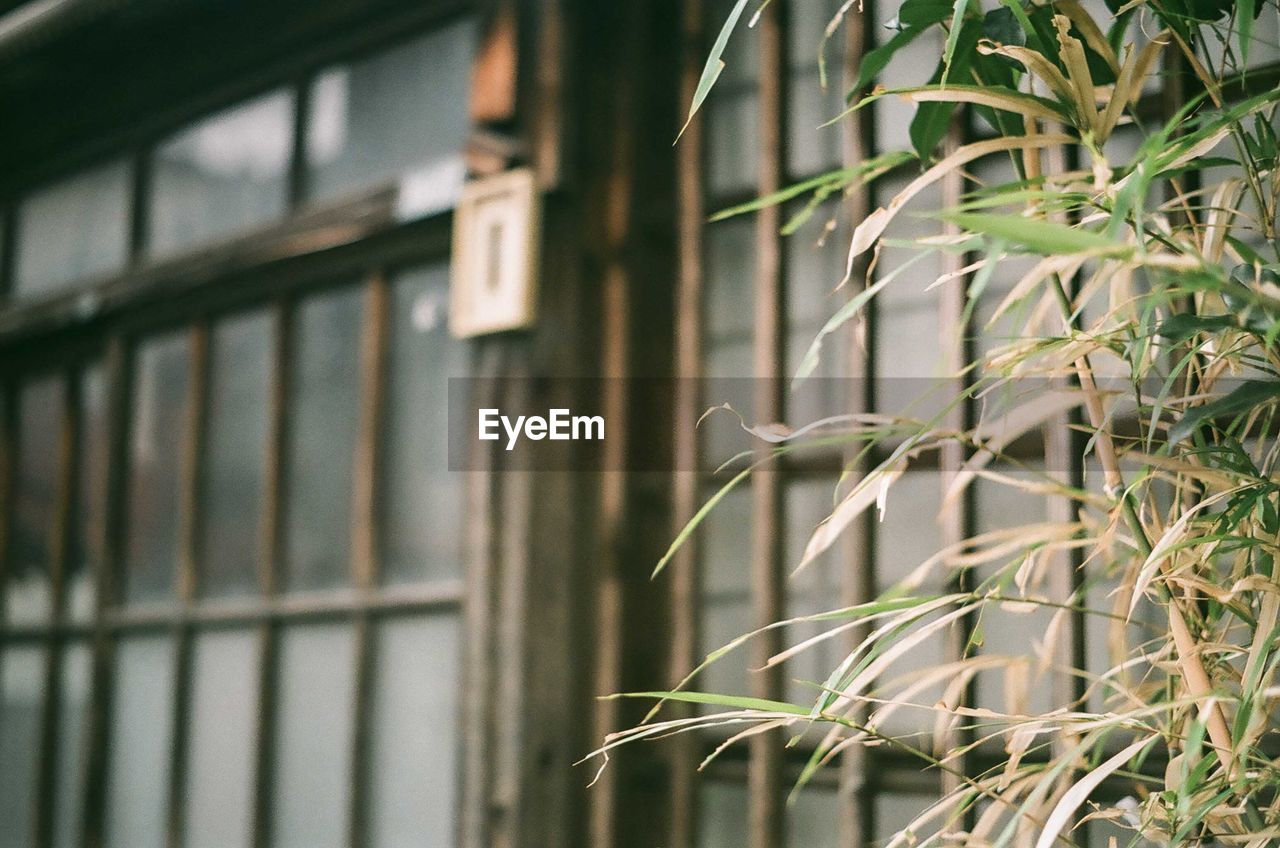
496,232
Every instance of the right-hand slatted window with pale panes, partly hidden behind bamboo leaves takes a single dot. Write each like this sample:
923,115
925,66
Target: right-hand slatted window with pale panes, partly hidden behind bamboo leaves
765,299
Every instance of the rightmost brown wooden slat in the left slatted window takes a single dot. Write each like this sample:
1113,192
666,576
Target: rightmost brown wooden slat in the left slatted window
364,566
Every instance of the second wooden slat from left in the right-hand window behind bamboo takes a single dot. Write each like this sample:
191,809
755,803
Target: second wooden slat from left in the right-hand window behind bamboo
765,773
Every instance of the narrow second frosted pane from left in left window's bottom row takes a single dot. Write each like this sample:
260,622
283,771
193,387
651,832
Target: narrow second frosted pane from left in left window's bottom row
74,714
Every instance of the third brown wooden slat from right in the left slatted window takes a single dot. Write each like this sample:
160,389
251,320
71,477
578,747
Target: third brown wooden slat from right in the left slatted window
189,542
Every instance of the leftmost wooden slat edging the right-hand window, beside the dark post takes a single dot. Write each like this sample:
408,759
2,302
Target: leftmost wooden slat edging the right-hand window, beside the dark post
685,573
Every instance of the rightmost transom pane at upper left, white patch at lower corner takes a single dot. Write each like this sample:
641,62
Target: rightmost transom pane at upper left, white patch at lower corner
404,112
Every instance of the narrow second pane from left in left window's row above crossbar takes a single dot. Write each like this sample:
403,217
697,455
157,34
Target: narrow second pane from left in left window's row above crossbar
86,553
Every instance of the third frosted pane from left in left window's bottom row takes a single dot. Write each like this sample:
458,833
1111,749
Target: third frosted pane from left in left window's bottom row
141,728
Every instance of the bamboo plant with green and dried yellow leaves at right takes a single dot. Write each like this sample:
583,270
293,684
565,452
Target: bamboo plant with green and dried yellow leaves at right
1151,307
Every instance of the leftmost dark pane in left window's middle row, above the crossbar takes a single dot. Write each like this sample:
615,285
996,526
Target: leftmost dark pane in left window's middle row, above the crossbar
40,428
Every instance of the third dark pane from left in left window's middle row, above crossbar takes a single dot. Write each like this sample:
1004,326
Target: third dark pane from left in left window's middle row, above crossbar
156,452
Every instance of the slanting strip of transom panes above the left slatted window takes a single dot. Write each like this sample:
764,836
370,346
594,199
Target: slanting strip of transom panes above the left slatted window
396,117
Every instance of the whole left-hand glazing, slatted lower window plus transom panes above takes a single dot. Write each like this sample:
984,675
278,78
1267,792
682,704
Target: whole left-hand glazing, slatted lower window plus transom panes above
232,522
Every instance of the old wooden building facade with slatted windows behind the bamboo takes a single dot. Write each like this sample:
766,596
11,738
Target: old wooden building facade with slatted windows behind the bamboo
245,600
